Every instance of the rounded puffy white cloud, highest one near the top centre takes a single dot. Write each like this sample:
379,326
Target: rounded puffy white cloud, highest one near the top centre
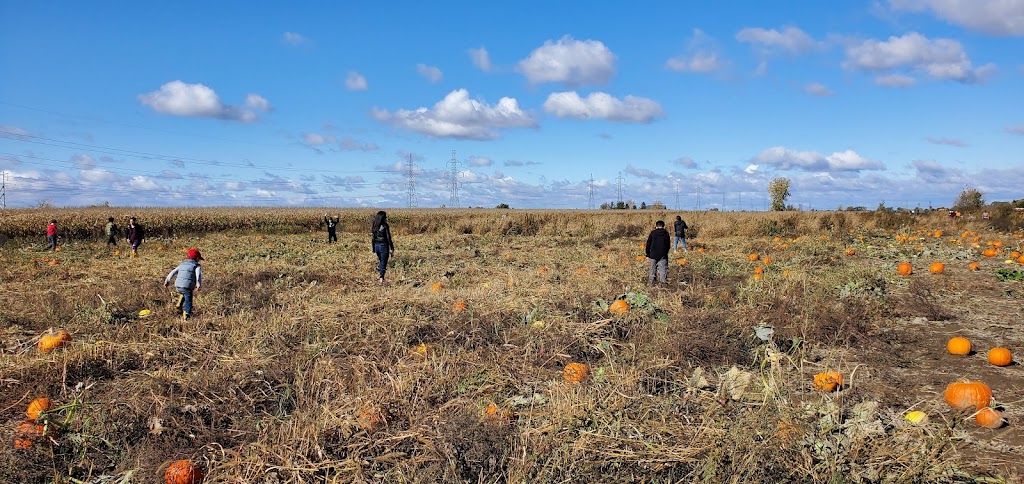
571,62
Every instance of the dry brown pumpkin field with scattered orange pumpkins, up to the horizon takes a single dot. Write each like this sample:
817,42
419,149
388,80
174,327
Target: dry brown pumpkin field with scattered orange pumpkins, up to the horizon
514,346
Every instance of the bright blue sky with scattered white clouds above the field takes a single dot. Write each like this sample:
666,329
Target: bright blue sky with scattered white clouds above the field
324,104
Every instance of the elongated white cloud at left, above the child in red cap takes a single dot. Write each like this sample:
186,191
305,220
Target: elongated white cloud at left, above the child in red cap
198,101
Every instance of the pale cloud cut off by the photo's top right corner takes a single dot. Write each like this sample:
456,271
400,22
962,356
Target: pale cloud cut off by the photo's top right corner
1005,18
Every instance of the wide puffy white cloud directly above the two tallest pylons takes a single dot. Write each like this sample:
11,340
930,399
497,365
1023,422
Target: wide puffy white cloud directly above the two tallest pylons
459,117
